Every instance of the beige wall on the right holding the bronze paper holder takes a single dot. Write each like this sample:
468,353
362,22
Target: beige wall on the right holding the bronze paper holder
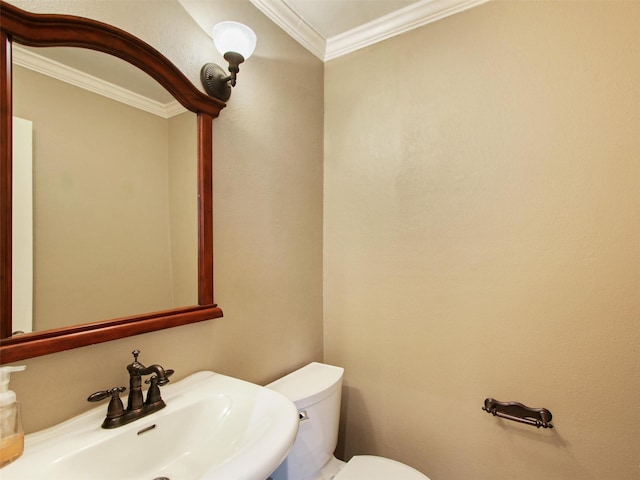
482,238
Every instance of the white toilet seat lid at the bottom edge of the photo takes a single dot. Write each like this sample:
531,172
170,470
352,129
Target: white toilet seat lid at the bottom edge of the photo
370,467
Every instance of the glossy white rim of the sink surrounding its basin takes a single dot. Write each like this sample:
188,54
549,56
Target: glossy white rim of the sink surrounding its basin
48,445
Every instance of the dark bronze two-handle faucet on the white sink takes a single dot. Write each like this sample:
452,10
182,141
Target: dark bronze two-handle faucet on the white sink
137,407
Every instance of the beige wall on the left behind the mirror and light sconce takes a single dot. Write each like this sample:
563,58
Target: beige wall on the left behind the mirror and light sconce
267,214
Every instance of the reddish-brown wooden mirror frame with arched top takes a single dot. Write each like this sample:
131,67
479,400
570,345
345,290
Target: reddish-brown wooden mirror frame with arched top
42,30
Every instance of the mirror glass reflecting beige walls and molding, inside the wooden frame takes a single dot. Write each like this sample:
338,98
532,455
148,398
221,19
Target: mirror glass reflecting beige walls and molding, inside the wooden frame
114,190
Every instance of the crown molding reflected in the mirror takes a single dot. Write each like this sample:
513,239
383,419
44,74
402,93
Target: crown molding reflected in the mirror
27,59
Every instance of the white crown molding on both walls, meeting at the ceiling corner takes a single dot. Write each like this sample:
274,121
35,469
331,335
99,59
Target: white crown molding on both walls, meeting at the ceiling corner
401,21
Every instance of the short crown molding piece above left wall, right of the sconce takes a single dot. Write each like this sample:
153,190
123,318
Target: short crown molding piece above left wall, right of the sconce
282,15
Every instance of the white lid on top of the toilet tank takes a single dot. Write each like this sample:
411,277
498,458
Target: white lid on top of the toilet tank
309,384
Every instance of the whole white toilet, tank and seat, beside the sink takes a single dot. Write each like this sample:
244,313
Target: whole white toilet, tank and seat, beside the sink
316,390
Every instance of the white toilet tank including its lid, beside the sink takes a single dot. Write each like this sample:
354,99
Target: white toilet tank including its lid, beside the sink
316,390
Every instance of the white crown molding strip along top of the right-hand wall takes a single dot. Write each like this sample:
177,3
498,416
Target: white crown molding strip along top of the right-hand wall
396,23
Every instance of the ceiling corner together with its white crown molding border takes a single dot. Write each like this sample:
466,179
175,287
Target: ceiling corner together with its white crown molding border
332,28
